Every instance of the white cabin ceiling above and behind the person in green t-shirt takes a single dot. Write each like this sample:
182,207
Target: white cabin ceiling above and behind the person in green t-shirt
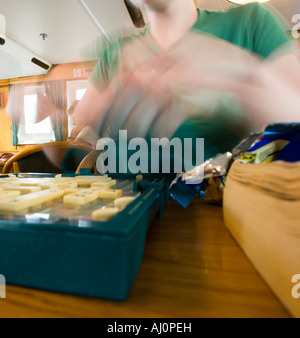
70,26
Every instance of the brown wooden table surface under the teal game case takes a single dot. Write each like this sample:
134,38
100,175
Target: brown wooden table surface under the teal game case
192,268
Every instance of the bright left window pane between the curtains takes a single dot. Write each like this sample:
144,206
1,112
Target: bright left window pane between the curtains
29,131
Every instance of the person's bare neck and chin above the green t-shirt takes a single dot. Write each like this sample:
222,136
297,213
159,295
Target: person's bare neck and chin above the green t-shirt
172,23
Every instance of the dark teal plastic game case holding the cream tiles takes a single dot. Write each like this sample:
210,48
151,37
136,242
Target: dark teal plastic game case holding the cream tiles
95,259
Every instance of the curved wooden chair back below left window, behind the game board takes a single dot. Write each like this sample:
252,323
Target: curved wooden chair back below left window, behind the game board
54,157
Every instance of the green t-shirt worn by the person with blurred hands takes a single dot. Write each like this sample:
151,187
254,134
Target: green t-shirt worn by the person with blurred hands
251,27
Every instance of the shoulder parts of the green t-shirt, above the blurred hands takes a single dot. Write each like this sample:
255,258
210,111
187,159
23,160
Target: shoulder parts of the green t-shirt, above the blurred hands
251,27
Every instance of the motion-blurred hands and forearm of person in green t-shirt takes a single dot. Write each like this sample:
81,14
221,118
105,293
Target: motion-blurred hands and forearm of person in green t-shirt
155,92
